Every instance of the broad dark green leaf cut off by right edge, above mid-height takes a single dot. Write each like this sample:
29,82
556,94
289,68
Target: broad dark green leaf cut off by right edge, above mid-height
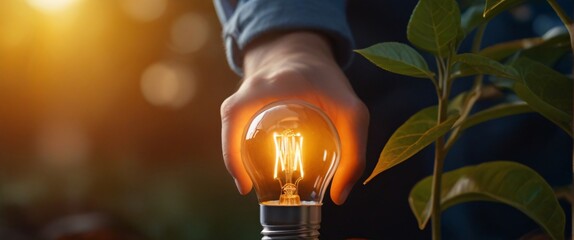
546,91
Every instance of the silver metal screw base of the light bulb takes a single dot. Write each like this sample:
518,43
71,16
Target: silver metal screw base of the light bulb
290,222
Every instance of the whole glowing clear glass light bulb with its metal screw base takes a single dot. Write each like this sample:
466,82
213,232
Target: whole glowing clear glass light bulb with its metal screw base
290,150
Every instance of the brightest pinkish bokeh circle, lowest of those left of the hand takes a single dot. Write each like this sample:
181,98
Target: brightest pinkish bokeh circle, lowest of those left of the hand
168,85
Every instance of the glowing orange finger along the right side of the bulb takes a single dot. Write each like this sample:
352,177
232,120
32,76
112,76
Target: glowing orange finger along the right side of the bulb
353,135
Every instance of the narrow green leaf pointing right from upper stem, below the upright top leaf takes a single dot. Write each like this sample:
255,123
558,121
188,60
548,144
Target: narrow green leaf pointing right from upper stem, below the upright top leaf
478,64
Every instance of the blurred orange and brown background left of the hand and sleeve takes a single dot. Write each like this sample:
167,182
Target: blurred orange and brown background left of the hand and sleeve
109,122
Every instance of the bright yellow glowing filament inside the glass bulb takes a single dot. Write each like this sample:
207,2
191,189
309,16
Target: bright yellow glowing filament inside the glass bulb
288,160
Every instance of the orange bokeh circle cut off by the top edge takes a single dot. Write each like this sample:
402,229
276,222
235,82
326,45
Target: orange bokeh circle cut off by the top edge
144,10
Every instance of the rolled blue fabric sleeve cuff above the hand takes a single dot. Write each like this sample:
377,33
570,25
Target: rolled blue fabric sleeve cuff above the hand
246,20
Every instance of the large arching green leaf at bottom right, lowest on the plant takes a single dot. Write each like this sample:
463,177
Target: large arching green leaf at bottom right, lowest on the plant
501,181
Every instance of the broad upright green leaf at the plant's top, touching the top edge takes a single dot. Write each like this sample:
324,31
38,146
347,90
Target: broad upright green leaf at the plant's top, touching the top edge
434,26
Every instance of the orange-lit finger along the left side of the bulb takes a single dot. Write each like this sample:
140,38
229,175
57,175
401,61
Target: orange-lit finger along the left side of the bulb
233,121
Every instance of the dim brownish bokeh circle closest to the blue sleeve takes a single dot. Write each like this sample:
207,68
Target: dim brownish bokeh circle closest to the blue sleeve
189,33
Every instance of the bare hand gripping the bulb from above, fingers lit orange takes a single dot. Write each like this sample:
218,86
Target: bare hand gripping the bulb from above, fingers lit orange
296,65
